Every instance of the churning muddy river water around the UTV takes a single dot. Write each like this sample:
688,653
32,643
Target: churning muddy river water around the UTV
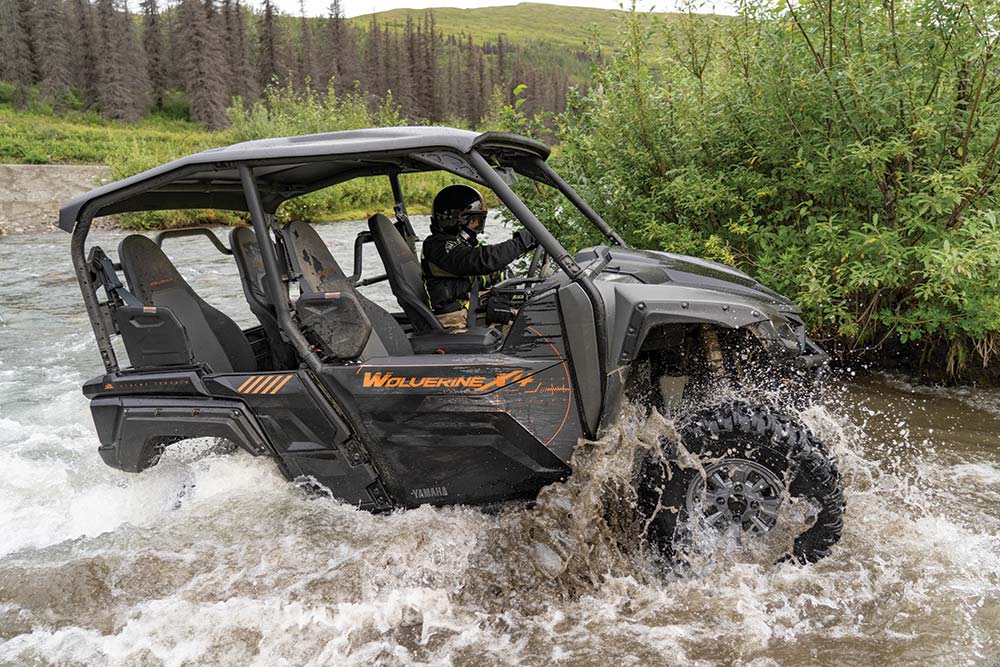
212,558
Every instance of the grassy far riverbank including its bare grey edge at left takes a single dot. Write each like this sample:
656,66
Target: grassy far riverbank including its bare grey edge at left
37,140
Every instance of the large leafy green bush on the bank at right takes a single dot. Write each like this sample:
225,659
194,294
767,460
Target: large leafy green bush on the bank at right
843,152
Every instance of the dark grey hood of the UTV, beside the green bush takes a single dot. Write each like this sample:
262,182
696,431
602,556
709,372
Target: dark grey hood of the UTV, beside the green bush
661,268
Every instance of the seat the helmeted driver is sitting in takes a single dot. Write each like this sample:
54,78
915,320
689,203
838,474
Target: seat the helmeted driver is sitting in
403,269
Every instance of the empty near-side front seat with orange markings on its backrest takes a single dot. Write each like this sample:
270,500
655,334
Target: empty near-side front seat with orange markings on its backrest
318,271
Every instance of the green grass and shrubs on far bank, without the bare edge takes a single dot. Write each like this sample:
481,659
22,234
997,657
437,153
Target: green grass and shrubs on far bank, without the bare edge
39,137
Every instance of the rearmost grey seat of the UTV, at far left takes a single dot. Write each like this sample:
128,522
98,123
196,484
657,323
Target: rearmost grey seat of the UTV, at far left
215,340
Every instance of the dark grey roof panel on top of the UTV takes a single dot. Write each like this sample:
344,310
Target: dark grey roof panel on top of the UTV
288,167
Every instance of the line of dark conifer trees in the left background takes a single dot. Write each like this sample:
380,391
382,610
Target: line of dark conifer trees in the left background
102,55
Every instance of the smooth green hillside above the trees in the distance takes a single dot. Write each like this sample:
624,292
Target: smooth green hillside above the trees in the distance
528,22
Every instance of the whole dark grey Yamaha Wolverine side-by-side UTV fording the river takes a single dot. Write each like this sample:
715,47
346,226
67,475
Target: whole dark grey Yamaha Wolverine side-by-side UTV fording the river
388,410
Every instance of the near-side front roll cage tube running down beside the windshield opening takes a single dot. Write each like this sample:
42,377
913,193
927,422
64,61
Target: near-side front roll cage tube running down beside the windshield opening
555,250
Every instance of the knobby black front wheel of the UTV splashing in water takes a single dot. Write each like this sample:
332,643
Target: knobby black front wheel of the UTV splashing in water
732,469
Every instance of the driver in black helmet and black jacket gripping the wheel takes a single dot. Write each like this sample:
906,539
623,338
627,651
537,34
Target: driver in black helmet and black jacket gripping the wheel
452,257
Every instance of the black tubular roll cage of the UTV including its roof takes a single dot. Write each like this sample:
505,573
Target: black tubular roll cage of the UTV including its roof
257,177
